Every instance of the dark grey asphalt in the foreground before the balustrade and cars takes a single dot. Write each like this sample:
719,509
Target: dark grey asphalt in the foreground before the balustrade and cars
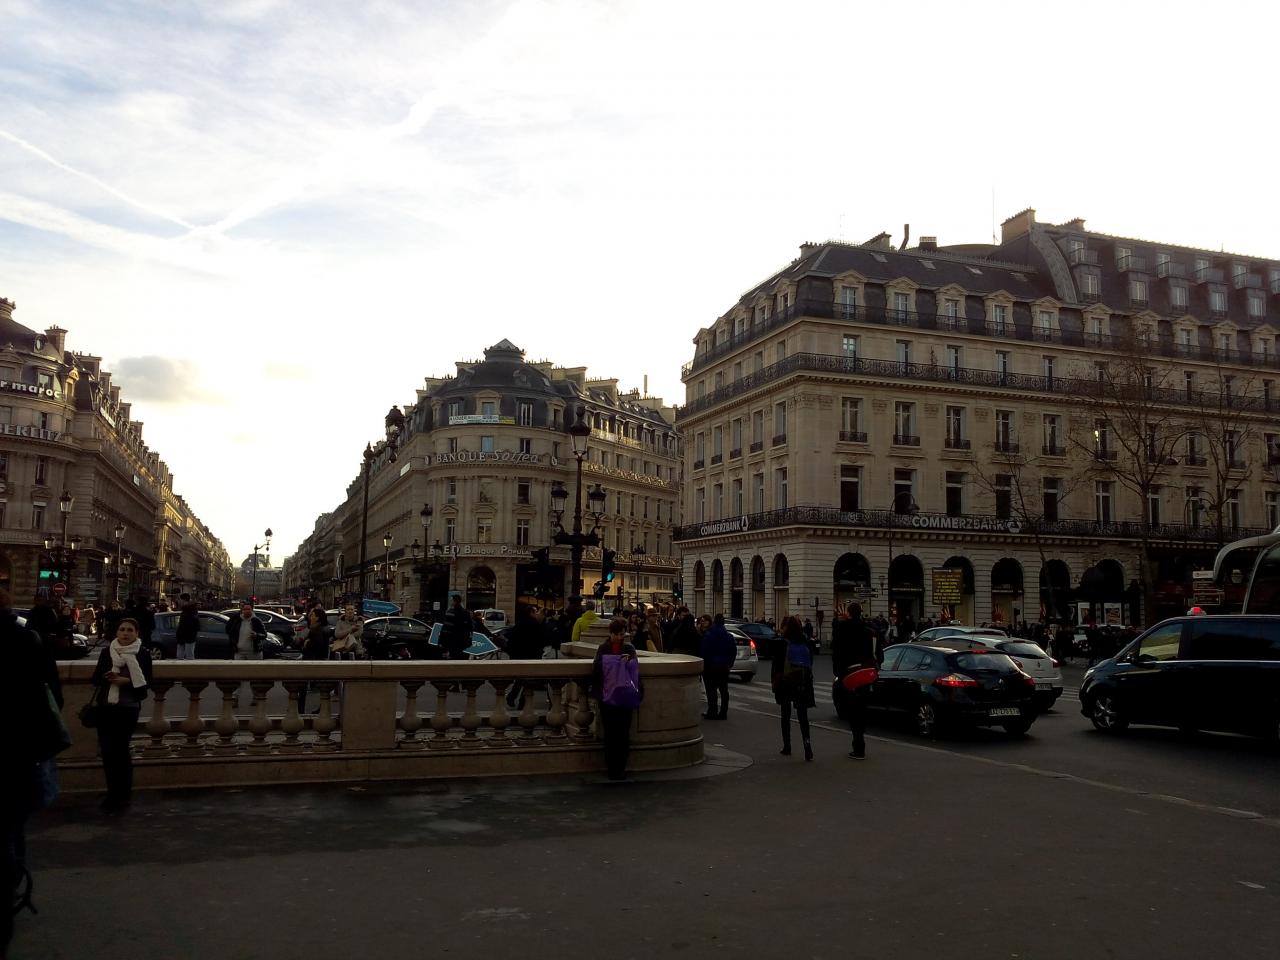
1063,844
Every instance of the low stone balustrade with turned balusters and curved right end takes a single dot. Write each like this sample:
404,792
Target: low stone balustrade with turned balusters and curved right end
240,723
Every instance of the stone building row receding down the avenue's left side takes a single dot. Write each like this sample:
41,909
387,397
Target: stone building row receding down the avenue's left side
67,437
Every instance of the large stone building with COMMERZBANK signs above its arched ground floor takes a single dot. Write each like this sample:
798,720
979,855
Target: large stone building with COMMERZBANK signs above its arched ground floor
1062,426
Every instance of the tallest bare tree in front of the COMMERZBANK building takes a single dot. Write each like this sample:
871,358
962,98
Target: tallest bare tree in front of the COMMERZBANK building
1133,432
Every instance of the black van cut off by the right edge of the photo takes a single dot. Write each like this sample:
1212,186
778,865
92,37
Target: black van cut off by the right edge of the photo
1219,674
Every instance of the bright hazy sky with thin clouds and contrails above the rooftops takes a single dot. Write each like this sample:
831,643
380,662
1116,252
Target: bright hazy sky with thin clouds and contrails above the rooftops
275,220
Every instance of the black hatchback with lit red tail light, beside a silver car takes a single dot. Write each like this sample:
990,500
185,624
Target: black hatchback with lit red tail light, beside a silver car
940,685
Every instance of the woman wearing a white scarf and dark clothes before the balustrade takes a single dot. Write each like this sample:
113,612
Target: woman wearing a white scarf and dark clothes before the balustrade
121,679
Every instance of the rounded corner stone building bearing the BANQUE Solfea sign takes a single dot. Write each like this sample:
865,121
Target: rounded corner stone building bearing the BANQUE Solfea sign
484,449
